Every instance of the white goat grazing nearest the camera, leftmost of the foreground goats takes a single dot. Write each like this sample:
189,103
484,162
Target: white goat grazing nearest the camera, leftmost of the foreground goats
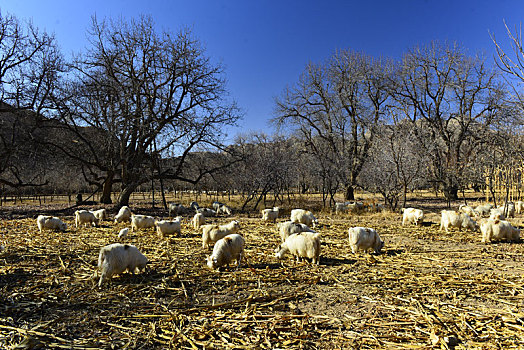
117,258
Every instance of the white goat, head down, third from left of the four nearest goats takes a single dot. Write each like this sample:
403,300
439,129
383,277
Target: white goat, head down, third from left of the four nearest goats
301,245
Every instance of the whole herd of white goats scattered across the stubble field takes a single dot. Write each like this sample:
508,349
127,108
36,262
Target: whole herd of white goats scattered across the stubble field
297,235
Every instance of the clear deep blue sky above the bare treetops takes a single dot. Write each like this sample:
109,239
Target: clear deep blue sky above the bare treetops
265,45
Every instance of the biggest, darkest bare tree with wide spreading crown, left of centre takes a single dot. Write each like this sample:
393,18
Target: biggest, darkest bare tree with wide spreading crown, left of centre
142,93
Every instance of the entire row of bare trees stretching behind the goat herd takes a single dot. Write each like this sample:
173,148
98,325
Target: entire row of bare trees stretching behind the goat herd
140,105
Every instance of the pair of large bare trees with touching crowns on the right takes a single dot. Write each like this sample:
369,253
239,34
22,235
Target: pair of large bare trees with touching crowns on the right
447,102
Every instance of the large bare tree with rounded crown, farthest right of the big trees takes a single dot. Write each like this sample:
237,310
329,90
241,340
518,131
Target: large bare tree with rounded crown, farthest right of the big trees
451,100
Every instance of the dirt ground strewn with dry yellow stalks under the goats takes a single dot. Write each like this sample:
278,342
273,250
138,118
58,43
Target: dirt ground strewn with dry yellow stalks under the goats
428,289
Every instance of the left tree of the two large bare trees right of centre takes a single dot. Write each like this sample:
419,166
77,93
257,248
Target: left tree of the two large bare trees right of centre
334,108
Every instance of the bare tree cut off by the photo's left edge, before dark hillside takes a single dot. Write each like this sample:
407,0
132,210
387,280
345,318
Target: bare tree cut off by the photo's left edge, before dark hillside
29,65
